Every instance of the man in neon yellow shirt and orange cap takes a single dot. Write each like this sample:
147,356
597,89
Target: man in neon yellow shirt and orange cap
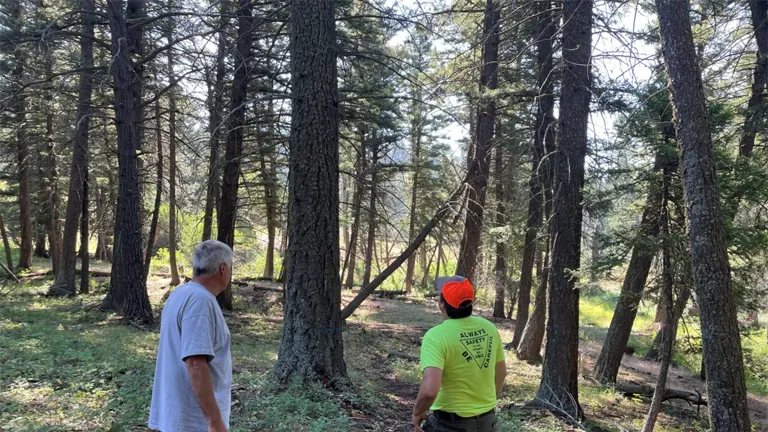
462,360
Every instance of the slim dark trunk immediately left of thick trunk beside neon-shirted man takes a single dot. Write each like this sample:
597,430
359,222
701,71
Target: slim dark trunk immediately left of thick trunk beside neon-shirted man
543,143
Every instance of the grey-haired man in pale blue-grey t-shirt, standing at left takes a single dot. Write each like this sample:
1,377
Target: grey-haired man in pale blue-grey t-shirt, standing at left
193,375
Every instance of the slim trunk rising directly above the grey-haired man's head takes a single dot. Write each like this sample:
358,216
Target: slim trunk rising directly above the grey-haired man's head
215,125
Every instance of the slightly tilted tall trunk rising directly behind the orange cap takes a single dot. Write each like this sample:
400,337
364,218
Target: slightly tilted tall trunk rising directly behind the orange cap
486,114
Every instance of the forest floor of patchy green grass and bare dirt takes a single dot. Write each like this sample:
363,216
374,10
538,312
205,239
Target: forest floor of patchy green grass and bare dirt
67,366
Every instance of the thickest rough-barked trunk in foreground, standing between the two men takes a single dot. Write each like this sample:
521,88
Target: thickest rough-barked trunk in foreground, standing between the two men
311,344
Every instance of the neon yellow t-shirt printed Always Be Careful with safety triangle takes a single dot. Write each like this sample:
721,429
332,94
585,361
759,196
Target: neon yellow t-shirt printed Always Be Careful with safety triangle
467,350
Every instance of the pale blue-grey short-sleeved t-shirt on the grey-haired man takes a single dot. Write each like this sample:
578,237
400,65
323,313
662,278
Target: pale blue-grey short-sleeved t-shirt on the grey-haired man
192,324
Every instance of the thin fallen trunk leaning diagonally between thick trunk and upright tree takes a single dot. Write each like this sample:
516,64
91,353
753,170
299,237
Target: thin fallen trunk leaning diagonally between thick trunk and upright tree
441,212
